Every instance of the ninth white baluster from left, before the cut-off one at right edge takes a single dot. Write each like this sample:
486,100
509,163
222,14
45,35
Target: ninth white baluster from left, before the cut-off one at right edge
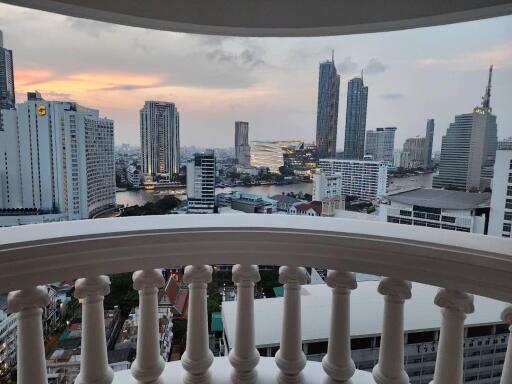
450,352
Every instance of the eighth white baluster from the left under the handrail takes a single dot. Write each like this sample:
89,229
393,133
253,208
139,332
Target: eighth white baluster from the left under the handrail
390,369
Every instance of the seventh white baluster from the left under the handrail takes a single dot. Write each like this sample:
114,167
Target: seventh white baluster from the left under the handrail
338,363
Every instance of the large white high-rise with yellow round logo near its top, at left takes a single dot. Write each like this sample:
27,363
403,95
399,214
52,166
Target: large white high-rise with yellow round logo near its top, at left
57,158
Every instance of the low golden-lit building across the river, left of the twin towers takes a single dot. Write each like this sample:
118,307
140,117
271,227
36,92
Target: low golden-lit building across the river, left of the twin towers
270,154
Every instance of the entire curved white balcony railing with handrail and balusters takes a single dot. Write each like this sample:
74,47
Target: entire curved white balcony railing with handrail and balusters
462,264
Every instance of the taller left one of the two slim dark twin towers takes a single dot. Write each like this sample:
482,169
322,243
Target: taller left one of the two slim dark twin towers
327,109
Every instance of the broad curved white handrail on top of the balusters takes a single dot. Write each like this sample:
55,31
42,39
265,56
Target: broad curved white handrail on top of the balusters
45,253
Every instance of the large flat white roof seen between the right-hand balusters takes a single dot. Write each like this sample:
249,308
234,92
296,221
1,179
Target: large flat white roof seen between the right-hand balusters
420,313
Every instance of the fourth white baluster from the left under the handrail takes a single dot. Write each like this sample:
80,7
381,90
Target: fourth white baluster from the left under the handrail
197,357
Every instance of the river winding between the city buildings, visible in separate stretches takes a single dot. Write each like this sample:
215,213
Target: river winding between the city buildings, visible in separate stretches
141,197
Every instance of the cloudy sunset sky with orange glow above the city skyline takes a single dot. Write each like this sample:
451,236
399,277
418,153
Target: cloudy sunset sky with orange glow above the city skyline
271,82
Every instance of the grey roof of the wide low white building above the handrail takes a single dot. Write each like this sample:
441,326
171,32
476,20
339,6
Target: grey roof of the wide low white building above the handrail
441,198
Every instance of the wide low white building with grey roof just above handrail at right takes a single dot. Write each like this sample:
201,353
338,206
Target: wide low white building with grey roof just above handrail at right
435,208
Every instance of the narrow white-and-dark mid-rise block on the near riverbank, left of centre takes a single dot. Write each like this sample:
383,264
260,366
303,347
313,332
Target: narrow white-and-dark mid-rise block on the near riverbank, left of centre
201,183
